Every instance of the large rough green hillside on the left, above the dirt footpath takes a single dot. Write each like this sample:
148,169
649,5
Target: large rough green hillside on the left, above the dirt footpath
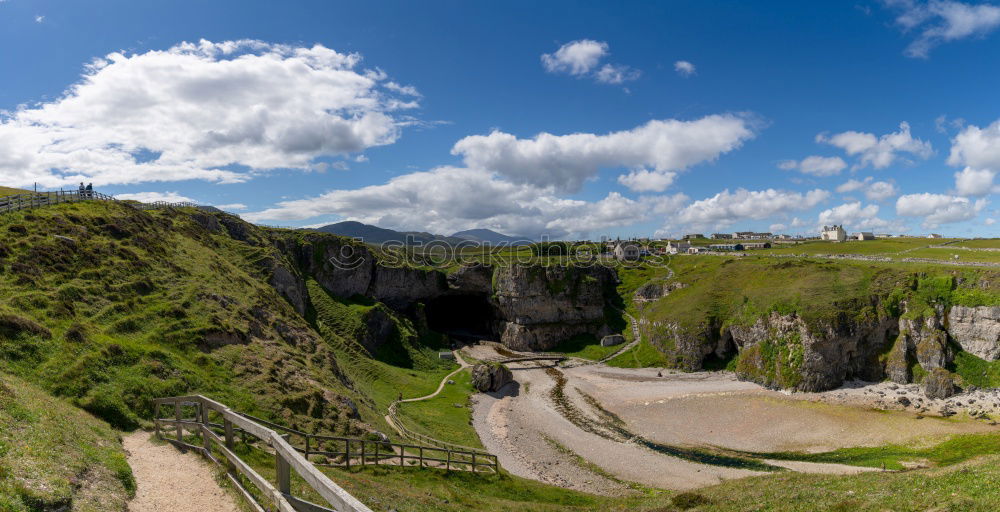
110,307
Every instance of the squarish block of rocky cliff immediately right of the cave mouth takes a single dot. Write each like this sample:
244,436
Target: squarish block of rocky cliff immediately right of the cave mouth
540,306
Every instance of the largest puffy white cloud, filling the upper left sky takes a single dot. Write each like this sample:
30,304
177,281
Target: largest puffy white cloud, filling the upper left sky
208,111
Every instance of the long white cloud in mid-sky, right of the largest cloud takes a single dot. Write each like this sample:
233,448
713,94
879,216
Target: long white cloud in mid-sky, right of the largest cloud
566,161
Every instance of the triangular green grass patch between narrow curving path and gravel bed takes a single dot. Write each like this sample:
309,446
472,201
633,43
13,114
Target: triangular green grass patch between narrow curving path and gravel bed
448,416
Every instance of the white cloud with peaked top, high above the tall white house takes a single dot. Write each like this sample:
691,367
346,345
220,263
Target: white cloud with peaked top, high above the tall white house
879,152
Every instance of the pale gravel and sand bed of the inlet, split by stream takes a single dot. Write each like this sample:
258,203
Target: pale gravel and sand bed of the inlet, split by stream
694,409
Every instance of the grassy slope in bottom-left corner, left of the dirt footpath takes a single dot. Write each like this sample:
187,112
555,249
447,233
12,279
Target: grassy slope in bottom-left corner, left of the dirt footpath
53,456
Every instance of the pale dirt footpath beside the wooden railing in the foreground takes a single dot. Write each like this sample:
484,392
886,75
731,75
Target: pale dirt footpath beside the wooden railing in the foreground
168,479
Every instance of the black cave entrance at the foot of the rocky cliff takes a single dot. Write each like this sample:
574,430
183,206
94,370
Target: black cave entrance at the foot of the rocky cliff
466,317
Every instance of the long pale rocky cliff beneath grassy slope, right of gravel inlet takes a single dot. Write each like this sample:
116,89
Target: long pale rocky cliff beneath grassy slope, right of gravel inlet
786,351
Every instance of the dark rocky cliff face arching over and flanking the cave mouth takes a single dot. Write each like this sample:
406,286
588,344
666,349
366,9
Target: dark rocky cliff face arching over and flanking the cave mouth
534,307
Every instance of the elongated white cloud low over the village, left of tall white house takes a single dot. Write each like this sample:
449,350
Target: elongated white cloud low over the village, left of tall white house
725,208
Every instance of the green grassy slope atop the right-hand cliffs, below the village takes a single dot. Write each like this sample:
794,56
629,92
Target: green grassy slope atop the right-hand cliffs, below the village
721,291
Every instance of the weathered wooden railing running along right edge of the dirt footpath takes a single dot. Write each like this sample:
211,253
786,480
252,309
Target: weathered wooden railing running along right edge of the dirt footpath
274,497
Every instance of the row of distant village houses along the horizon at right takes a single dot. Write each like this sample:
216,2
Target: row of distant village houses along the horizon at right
737,242
